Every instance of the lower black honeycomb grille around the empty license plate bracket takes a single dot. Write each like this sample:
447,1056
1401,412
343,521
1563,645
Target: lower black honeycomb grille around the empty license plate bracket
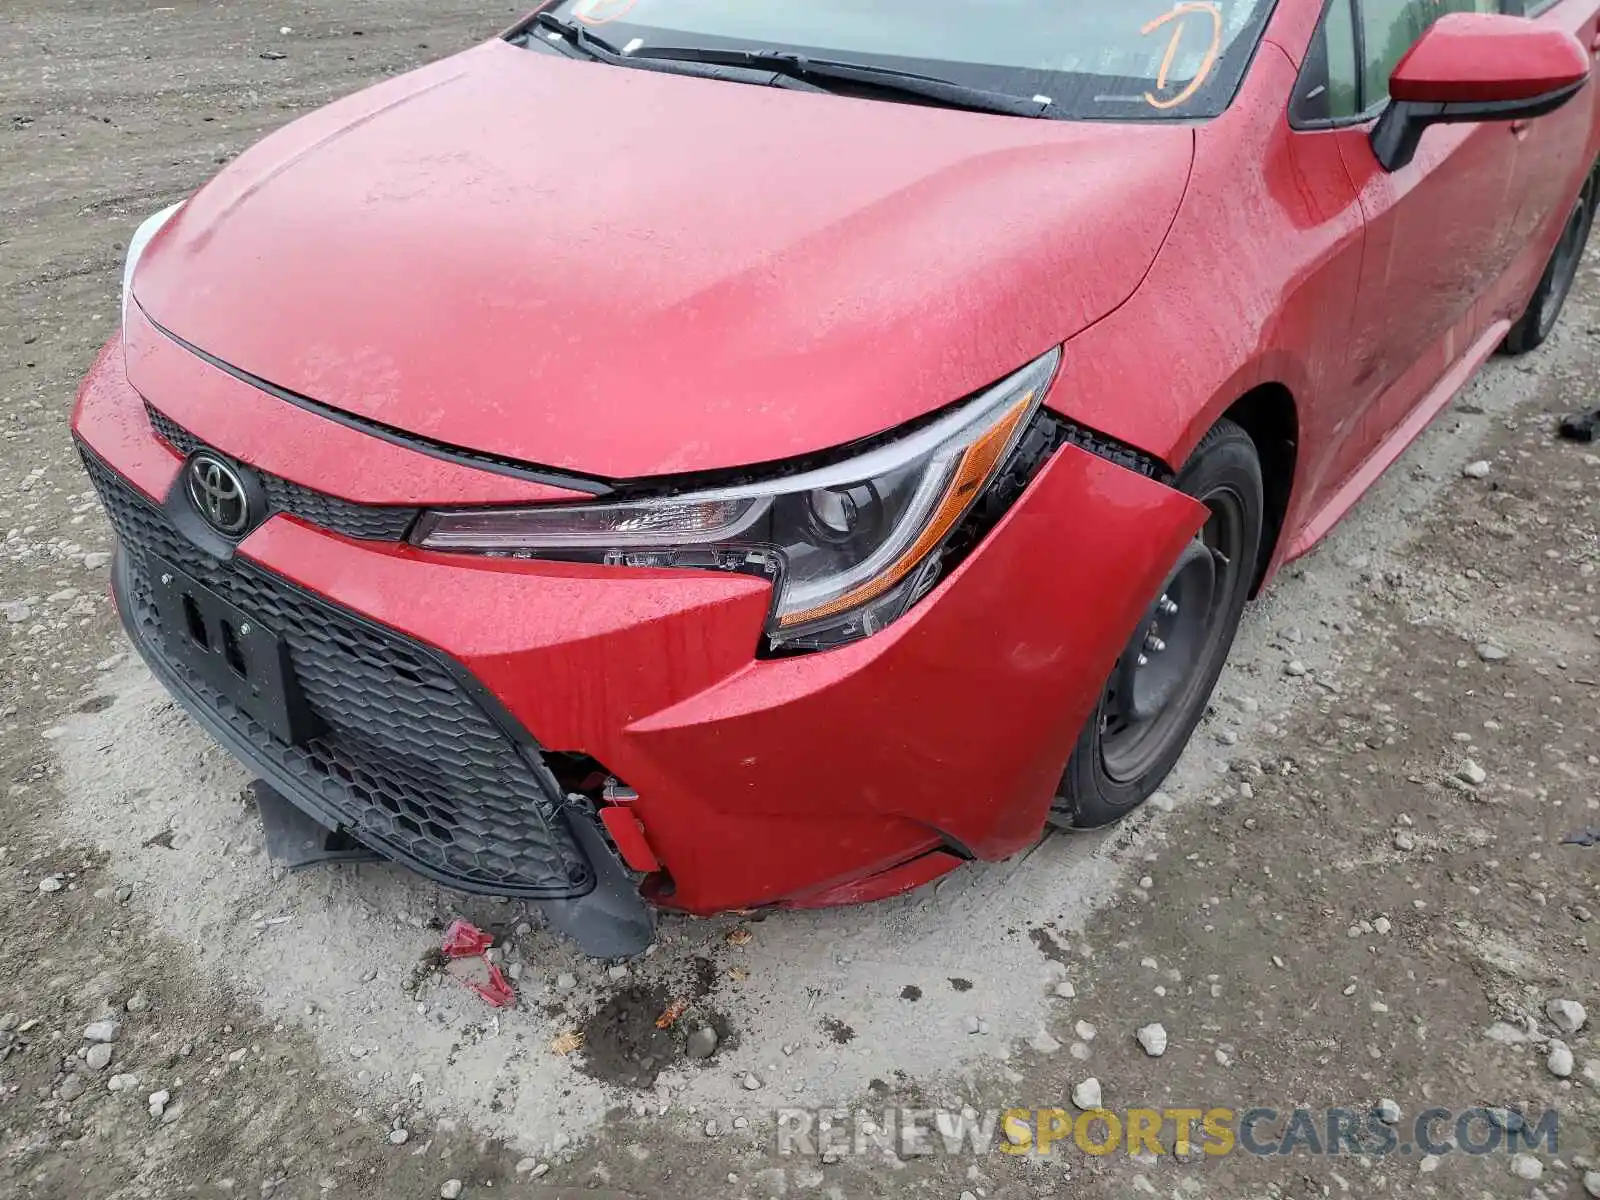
410,762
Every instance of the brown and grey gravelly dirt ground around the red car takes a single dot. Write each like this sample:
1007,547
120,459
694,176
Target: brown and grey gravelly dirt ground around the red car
1354,889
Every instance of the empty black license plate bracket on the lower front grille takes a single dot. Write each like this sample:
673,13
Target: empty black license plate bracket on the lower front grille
233,652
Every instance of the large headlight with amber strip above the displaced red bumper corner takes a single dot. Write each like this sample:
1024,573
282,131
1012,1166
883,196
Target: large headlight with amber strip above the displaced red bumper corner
849,548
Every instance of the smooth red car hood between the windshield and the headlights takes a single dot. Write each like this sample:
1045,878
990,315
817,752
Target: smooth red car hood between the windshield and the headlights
625,273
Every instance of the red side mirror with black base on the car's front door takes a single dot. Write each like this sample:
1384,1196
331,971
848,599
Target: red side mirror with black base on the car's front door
1476,68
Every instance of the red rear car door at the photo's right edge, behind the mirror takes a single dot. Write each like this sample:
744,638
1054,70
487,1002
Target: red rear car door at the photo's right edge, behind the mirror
1554,153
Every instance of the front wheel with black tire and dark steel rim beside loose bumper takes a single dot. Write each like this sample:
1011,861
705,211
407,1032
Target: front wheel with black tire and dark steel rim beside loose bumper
1110,775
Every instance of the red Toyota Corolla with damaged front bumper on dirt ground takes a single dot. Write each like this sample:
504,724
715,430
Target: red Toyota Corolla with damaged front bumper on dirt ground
705,455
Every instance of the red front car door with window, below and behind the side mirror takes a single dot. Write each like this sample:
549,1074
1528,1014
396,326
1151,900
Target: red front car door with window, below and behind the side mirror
1438,230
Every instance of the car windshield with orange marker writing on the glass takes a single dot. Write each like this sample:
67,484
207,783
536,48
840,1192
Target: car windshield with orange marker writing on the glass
1113,60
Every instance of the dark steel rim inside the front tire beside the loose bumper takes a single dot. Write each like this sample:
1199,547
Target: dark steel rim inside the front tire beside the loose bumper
1134,742
